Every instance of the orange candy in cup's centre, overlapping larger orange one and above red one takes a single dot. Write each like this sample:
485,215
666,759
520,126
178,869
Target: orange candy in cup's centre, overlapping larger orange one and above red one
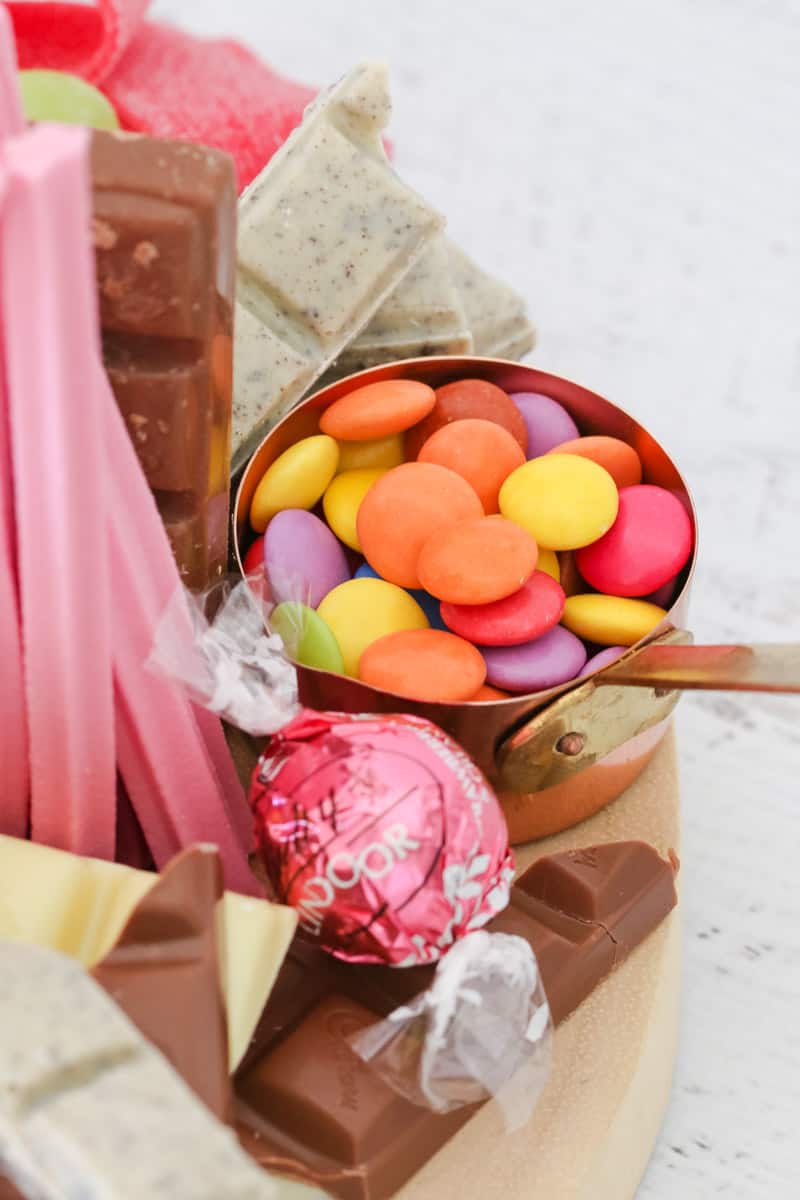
477,562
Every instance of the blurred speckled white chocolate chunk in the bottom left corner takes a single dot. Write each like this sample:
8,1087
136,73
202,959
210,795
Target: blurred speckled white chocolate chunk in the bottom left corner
89,1108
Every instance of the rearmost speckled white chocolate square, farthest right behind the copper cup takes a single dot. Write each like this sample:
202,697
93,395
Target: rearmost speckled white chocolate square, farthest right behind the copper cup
496,314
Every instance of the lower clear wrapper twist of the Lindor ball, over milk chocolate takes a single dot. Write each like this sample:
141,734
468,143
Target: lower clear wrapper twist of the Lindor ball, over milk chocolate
483,1030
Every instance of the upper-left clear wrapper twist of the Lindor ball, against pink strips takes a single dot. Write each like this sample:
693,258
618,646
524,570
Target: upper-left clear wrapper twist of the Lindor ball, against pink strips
231,664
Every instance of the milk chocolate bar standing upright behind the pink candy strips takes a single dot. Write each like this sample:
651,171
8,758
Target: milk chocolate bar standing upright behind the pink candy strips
165,226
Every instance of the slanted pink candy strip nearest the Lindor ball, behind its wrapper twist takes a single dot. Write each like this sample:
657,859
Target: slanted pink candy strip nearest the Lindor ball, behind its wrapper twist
170,776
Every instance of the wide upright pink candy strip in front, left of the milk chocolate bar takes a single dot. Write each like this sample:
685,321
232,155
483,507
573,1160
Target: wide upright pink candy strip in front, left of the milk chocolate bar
61,494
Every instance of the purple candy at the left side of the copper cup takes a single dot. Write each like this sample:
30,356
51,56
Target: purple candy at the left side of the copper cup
304,560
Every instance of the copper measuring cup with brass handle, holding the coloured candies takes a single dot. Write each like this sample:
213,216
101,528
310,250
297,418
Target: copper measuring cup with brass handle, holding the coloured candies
555,757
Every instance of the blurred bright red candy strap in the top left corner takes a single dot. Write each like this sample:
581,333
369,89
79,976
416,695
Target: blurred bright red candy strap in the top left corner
86,40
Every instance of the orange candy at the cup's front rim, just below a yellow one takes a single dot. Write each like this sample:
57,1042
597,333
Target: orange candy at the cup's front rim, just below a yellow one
424,664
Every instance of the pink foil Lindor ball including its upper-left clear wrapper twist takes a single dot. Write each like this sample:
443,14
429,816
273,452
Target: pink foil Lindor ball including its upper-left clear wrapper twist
380,831
